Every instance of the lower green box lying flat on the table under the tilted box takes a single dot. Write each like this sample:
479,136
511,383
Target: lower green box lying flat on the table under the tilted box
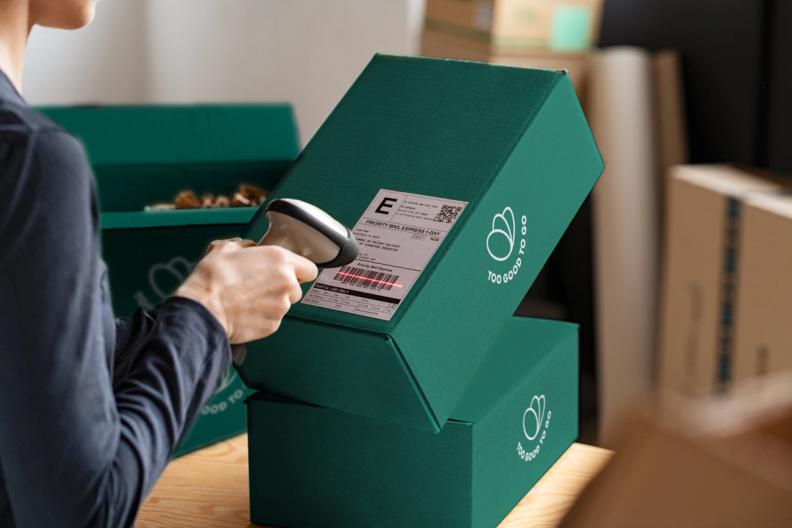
313,466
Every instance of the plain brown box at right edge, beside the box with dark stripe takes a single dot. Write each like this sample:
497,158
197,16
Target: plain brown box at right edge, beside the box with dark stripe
763,318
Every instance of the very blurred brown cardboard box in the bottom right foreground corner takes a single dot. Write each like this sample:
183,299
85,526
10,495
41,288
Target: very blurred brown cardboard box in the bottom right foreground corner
724,461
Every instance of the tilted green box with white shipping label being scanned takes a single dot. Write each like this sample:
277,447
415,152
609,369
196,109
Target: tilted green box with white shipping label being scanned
459,179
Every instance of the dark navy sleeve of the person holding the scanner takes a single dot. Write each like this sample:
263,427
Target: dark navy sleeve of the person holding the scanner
78,446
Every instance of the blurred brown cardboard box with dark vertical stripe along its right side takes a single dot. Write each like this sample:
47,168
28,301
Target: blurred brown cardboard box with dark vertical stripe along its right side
702,239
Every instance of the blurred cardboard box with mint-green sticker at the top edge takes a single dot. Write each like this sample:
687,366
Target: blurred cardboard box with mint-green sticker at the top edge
563,25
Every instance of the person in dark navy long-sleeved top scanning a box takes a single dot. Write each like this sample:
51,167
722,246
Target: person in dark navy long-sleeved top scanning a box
93,407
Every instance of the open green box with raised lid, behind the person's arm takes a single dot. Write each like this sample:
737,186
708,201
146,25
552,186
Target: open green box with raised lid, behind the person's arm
147,154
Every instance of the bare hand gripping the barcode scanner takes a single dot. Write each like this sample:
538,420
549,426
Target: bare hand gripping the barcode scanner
248,288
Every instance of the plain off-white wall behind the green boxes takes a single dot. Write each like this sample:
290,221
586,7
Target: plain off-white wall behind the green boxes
306,52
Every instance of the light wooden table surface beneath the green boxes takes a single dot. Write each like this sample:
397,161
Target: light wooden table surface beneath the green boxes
210,488
